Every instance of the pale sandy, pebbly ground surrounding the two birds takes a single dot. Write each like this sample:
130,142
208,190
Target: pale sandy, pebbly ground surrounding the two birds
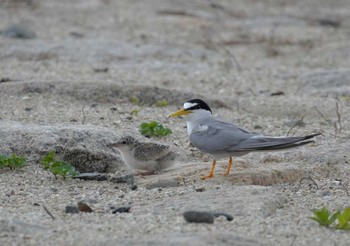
261,64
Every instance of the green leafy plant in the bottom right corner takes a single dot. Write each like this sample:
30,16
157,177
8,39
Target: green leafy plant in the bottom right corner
325,218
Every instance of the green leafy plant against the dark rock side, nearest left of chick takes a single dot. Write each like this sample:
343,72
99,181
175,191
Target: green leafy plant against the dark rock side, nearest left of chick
60,168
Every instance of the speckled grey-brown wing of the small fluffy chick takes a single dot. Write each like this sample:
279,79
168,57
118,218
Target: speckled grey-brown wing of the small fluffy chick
151,151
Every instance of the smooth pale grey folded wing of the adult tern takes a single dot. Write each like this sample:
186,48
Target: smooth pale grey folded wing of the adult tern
219,137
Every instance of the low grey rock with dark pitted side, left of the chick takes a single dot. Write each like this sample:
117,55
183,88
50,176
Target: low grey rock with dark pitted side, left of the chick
82,146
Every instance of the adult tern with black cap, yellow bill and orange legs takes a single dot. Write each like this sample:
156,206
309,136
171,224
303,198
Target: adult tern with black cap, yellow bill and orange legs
222,139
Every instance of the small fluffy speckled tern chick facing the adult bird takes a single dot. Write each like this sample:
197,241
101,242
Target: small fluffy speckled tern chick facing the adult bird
146,156
